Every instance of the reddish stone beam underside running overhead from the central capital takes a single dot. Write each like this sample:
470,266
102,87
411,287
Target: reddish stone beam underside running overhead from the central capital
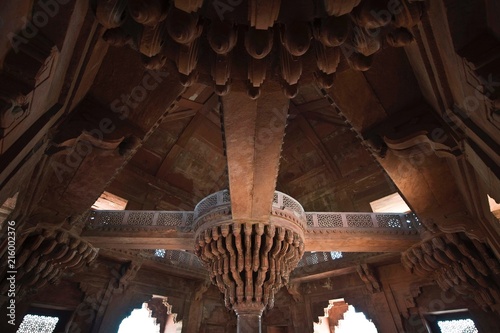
254,131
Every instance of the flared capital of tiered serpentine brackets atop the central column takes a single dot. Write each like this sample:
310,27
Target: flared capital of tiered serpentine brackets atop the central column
248,261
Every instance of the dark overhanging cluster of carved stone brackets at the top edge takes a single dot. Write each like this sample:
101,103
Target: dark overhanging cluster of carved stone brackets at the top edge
219,43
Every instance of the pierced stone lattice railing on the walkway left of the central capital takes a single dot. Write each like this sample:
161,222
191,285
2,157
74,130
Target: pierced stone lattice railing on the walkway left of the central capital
142,218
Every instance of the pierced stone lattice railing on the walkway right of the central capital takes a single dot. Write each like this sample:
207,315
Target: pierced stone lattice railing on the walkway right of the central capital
318,220
